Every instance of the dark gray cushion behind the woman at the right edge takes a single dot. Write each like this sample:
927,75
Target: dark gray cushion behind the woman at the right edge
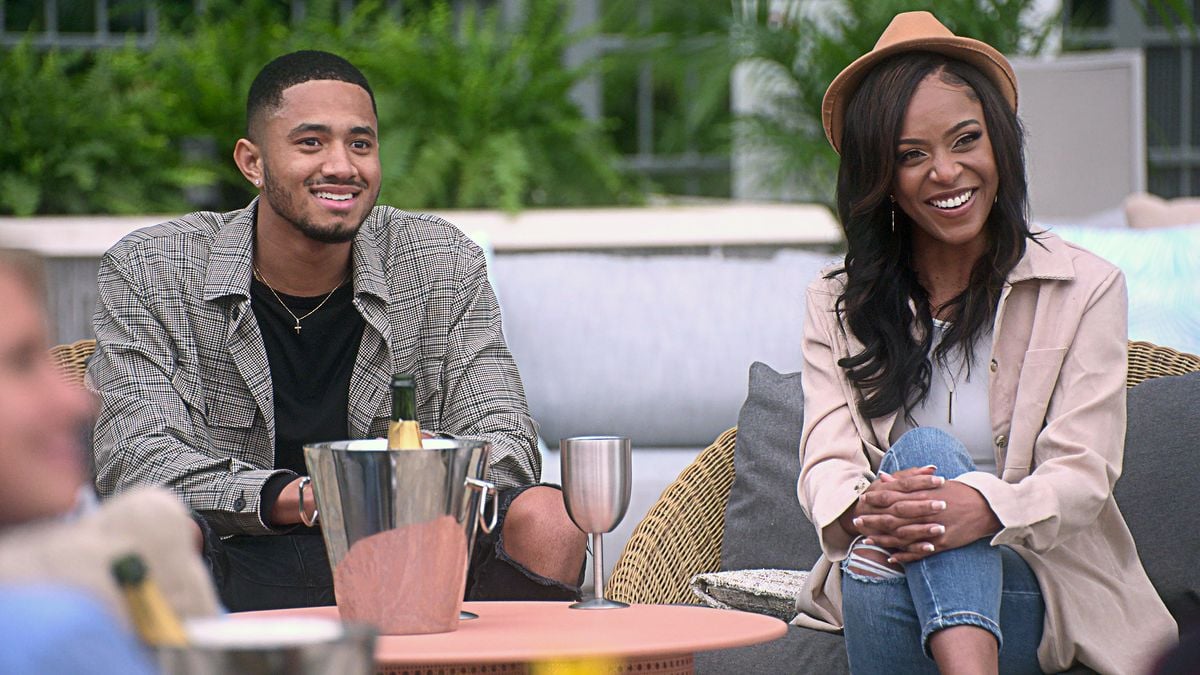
1157,488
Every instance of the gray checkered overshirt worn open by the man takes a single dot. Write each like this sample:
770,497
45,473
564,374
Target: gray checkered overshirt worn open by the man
183,378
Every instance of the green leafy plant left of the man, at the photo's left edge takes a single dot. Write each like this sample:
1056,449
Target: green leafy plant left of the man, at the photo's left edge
87,133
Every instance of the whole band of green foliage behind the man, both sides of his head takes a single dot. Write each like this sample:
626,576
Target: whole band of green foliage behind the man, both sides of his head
476,111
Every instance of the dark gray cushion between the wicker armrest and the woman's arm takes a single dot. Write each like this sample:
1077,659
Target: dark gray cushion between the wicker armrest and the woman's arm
765,527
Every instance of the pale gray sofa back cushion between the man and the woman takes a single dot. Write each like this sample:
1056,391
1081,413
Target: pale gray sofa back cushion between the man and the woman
650,345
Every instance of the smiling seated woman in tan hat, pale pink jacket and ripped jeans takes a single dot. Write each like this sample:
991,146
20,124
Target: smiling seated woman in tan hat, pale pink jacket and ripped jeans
964,392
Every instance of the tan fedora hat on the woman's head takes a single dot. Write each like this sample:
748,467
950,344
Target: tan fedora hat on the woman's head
914,32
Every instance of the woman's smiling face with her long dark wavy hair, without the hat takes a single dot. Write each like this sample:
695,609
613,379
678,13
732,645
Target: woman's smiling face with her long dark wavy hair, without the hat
950,183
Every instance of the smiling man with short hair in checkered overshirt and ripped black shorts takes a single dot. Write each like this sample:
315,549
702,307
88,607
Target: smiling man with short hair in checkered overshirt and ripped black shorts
226,342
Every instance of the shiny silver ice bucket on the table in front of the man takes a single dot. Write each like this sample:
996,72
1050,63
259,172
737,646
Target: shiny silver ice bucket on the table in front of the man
399,527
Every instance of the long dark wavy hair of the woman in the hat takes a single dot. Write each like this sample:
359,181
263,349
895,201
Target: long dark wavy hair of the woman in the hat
883,304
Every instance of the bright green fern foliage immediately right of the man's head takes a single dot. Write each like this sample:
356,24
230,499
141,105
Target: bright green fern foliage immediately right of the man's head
477,112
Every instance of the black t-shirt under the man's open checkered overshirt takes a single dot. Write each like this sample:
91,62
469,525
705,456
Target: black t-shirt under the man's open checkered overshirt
310,371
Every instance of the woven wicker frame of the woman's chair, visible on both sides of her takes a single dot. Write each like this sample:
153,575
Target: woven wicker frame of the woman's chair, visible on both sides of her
683,533
